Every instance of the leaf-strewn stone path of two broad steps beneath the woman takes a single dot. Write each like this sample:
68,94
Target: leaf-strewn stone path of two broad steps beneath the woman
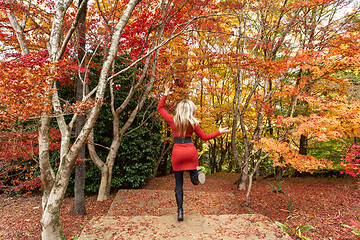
158,221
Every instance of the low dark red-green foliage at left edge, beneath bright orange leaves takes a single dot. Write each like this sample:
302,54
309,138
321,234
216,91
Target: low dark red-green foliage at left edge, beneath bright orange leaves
19,159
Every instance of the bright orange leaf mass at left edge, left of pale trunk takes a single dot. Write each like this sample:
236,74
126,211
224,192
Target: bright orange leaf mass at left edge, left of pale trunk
24,89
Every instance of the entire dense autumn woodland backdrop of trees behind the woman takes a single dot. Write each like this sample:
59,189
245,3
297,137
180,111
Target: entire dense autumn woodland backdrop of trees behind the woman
80,82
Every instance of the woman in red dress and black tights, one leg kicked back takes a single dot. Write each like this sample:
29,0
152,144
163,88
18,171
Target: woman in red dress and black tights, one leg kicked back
184,154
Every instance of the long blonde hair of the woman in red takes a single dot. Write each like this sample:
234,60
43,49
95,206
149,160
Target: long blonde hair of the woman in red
184,117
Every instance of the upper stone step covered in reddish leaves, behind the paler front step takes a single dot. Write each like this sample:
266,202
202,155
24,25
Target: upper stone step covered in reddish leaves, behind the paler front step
162,202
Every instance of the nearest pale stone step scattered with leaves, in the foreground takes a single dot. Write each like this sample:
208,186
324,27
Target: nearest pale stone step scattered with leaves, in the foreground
229,226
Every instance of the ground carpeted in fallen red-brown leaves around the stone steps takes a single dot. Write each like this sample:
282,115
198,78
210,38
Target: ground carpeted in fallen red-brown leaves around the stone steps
324,203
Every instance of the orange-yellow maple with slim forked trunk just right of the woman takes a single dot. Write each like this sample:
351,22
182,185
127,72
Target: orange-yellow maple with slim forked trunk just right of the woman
276,55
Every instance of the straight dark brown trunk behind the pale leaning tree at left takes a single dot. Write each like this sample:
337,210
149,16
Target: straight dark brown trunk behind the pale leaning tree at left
79,202
